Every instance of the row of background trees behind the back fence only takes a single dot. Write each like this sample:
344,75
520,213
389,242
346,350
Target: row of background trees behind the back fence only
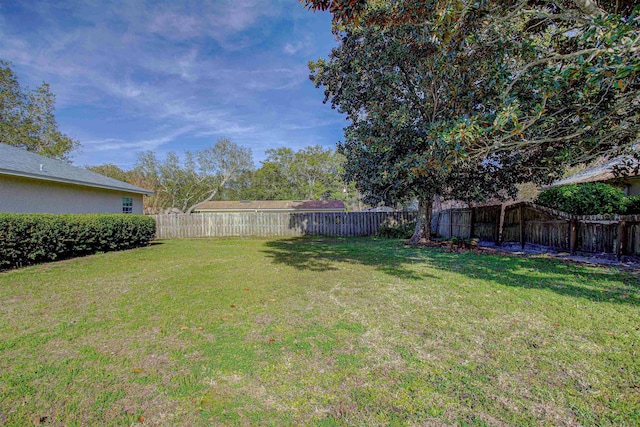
226,171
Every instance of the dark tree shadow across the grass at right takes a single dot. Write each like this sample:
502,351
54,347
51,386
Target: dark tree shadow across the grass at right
395,259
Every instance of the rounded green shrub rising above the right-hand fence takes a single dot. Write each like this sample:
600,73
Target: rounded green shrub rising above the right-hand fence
584,199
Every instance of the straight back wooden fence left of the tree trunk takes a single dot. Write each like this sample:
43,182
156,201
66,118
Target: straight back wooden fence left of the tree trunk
266,224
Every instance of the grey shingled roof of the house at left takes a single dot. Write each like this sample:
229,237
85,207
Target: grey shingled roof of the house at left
18,162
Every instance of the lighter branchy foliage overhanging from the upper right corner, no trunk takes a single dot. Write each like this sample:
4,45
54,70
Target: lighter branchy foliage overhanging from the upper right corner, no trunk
566,71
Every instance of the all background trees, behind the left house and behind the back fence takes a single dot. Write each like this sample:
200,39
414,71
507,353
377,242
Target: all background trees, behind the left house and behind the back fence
224,171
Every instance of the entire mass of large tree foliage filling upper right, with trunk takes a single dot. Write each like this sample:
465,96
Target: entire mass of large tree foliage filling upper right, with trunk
440,92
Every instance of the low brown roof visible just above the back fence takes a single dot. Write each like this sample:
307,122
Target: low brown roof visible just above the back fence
289,205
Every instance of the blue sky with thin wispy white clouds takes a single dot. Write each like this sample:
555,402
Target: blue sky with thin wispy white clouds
131,75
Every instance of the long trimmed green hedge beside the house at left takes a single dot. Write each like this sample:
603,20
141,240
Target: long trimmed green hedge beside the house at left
32,238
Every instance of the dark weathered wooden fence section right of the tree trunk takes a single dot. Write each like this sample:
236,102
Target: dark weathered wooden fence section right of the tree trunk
529,223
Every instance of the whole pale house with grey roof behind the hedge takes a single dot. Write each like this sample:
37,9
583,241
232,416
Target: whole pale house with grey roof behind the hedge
31,183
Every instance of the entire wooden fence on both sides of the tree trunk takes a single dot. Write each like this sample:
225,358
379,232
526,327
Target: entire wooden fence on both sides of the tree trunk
542,226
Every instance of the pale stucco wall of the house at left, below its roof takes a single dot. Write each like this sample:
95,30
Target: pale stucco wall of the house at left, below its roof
24,195
